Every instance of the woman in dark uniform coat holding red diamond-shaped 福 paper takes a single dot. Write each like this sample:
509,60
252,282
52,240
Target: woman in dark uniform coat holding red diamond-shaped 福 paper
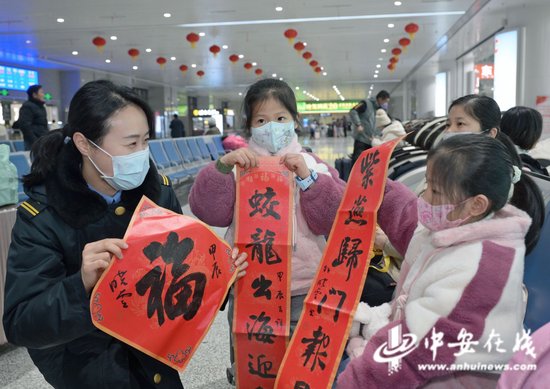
85,182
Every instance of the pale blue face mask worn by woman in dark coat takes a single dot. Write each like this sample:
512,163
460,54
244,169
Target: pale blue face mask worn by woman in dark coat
129,171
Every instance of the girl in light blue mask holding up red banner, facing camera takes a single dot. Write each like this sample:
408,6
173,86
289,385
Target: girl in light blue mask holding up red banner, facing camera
271,119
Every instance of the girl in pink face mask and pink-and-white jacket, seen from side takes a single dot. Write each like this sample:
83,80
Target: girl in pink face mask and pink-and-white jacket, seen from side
462,273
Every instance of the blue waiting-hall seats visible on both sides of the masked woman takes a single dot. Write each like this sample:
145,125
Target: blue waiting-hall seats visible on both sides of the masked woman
180,158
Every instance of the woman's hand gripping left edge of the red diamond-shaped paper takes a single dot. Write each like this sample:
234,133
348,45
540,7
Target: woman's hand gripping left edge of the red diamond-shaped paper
96,256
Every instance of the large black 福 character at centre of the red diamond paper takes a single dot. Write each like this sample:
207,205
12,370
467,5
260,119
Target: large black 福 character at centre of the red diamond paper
184,294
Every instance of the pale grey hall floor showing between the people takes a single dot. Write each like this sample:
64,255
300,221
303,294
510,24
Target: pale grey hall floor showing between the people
207,368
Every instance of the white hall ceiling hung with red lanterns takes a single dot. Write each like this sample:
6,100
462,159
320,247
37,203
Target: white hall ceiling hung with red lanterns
348,49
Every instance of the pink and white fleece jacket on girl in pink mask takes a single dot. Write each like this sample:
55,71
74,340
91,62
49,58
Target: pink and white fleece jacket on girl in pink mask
469,277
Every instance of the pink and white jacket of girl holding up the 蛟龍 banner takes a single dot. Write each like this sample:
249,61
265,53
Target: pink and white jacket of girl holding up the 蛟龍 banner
212,200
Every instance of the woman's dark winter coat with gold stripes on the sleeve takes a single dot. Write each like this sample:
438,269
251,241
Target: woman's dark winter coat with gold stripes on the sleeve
47,308
